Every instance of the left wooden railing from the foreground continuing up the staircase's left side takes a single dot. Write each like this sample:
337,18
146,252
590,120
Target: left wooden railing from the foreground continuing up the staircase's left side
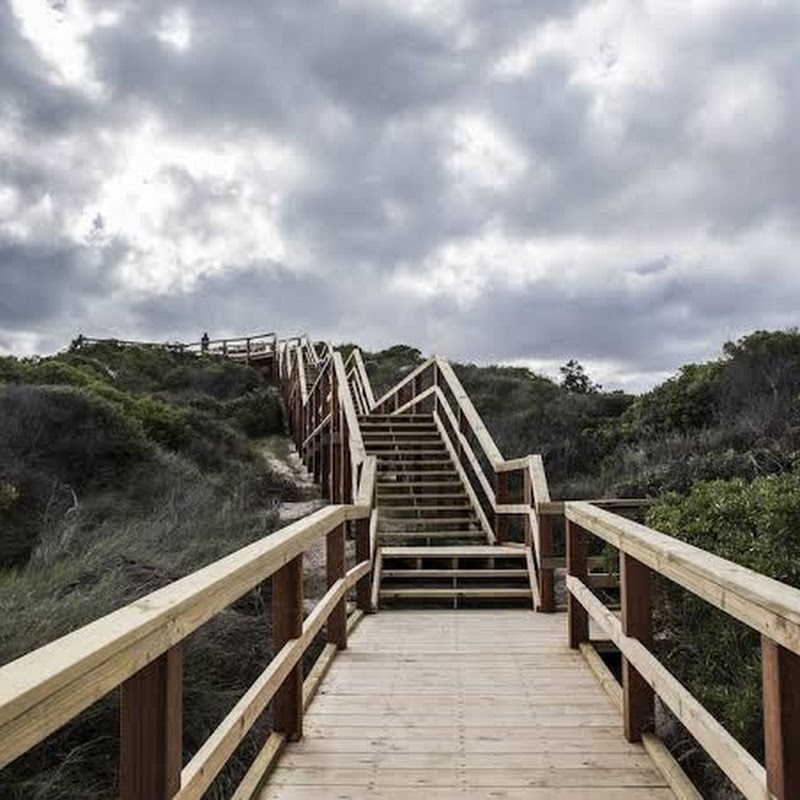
138,649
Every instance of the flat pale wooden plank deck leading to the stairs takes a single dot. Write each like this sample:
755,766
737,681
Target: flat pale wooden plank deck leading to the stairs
465,704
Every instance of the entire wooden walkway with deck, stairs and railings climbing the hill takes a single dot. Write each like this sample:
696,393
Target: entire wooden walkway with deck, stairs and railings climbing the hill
489,703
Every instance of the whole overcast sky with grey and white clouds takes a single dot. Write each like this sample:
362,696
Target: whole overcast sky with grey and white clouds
523,181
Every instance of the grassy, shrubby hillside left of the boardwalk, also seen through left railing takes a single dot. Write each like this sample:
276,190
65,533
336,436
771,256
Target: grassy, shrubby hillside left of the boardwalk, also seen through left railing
120,472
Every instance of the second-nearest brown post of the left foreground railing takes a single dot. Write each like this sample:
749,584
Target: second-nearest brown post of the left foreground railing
287,624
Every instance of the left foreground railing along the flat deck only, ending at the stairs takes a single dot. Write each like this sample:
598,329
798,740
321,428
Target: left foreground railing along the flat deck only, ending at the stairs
139,650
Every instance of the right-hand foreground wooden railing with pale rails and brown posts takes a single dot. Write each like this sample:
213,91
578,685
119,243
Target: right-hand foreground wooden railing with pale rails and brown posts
767,606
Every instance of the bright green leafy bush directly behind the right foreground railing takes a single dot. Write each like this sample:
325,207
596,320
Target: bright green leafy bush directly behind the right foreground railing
757,525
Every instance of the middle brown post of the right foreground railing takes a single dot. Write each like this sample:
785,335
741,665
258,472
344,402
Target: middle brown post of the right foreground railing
637,621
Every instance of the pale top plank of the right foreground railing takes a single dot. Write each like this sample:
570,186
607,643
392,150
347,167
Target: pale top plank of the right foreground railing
768,606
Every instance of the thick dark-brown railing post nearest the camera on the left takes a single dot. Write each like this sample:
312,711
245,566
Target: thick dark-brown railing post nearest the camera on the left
151,729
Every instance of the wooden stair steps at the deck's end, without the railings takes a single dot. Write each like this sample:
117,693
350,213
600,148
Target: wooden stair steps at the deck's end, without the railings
432,548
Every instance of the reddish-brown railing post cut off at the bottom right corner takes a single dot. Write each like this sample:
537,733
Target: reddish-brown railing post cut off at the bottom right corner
781,688
